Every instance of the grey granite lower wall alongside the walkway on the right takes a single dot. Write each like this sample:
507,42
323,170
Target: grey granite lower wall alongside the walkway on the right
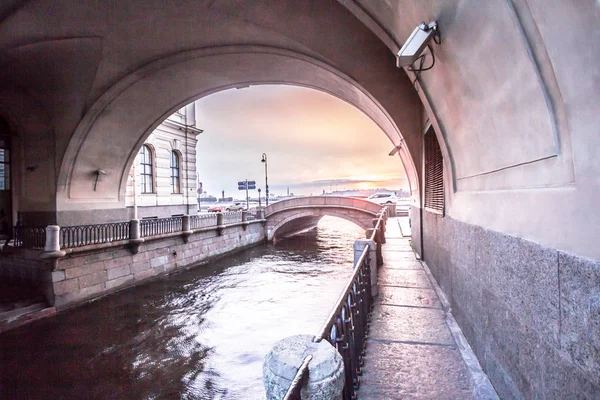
530,312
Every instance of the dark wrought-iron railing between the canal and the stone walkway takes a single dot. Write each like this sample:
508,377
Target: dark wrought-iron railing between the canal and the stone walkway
347,326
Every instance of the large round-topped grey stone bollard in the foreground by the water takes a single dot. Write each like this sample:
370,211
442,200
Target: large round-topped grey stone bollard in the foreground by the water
325,371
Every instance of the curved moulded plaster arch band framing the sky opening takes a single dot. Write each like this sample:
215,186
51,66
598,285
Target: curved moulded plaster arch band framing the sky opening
123,107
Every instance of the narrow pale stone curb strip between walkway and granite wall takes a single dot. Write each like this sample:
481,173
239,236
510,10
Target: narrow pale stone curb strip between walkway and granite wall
482,387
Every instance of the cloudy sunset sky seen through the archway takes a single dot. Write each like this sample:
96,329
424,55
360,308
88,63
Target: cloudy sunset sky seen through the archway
313,142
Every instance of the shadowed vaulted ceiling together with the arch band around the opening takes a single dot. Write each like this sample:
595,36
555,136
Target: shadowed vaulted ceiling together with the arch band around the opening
110,72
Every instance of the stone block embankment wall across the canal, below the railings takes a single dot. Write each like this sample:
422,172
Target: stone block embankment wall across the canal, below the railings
83,275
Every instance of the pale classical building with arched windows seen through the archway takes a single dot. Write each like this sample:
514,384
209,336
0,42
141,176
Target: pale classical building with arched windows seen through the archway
162,181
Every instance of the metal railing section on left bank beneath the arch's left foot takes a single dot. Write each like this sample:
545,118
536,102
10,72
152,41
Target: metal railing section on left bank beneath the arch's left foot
85,235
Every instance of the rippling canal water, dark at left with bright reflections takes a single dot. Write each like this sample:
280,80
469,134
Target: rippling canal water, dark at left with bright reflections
199,334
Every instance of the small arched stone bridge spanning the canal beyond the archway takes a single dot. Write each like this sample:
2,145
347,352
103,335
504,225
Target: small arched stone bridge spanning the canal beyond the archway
296,214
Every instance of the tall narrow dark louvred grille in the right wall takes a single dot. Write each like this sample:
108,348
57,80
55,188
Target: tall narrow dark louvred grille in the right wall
434,173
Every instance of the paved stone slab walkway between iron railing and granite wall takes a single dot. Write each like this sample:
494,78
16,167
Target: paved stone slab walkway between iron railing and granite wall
411,352
